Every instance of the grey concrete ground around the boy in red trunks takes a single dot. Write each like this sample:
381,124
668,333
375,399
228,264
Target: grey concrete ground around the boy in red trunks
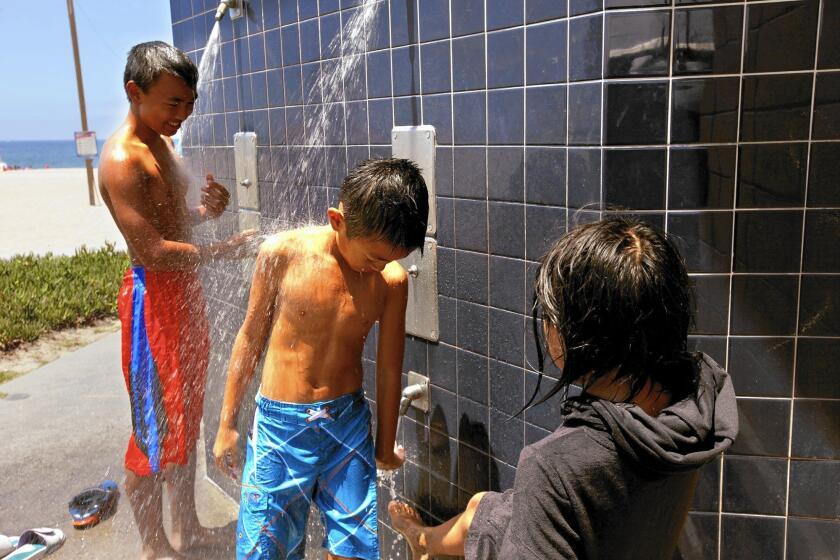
63,428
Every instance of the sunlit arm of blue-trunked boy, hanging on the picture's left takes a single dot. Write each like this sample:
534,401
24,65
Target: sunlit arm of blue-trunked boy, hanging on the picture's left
249,346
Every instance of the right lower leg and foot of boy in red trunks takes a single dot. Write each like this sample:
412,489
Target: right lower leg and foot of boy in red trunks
187,531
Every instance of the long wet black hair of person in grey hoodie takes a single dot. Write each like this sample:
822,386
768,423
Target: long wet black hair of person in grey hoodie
617,292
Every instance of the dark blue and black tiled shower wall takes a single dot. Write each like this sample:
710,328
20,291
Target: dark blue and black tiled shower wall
719,121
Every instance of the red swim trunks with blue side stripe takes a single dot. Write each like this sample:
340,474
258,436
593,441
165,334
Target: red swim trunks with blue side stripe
165,350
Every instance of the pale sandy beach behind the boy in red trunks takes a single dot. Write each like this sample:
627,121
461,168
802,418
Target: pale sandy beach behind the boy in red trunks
47,210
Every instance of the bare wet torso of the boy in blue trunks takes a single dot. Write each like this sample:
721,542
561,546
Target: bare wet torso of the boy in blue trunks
318,312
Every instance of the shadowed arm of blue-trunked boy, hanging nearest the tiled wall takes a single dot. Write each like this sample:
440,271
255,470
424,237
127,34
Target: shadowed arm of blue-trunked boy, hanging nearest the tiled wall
389,358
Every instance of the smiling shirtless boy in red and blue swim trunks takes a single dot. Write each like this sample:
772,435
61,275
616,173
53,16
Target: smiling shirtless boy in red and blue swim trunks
161,308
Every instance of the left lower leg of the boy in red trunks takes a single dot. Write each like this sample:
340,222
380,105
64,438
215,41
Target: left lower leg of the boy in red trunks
145,493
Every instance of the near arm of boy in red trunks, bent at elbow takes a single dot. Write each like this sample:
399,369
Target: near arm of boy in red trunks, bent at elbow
127,184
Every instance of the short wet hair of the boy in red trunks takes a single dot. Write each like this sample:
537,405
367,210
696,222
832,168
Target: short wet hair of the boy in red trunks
147,61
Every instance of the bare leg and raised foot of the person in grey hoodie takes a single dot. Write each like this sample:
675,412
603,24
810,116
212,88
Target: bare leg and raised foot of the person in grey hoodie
424,541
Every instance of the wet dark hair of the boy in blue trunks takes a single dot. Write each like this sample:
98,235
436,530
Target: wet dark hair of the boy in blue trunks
386,199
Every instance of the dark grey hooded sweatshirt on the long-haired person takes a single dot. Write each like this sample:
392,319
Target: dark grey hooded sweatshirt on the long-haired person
611,482
